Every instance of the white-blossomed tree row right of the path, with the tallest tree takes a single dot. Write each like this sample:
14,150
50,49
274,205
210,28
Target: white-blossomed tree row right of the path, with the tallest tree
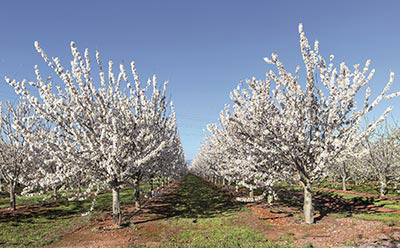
278,130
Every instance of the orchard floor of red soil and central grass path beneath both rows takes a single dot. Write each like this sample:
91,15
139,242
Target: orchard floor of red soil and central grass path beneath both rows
195,213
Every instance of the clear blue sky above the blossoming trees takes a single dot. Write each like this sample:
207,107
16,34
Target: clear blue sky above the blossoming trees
204,48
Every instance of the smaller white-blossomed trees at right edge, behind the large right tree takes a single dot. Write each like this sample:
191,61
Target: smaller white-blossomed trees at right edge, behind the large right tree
377,158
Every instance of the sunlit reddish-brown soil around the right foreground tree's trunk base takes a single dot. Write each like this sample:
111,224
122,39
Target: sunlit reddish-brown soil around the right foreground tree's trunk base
283,223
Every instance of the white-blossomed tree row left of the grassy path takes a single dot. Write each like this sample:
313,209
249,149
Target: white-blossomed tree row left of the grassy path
81,132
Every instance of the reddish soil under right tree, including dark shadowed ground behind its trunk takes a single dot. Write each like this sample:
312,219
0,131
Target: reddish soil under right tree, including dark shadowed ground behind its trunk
282,222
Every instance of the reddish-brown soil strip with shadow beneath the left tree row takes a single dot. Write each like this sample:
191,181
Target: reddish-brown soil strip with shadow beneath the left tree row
144,228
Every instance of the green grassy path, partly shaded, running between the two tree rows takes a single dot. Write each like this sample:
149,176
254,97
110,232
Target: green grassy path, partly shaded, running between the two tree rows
207,217
